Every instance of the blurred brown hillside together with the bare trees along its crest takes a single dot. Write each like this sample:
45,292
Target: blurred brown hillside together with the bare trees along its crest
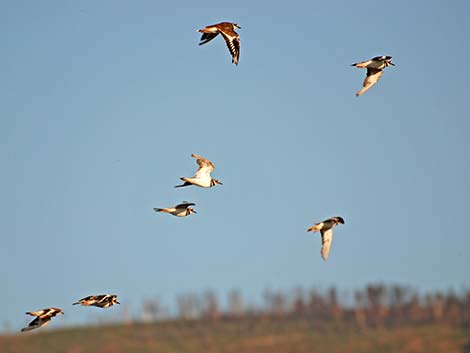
382,319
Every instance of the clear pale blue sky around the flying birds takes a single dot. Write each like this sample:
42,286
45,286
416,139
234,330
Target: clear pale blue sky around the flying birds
103,102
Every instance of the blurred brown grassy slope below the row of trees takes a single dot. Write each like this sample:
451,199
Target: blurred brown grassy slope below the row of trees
262,335
